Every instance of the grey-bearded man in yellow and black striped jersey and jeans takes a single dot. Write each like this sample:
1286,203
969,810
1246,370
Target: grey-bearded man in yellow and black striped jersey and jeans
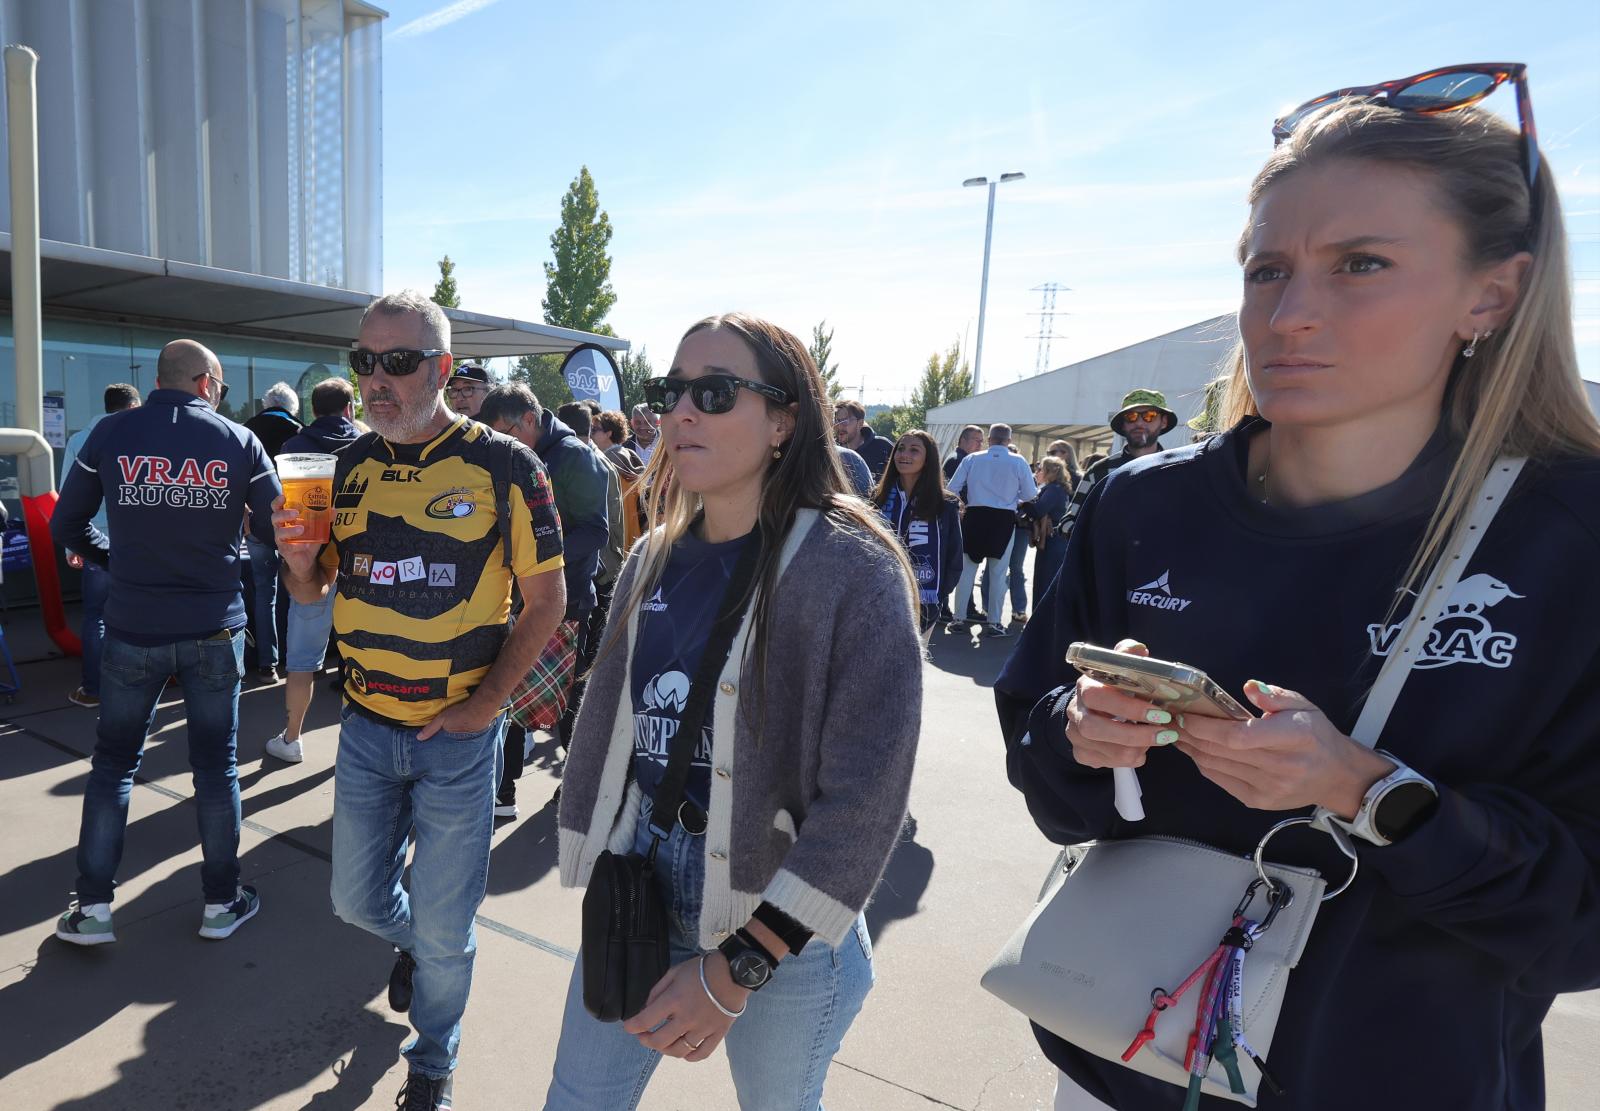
436,521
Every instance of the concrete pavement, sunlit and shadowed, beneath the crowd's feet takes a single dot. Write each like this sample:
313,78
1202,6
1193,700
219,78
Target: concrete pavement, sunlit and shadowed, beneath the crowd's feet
290,1013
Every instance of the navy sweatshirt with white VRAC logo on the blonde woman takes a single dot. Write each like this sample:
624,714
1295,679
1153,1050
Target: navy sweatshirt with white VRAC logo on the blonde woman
1426,984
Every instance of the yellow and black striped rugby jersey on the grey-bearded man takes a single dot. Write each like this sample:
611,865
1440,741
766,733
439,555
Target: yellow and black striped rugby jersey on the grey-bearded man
423,588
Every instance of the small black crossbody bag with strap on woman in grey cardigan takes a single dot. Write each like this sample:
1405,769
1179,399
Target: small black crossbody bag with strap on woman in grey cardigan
626,949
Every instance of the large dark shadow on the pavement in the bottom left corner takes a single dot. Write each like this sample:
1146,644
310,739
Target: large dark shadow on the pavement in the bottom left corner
239,1022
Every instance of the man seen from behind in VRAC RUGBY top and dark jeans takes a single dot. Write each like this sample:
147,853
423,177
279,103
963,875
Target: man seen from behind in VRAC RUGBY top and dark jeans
177,481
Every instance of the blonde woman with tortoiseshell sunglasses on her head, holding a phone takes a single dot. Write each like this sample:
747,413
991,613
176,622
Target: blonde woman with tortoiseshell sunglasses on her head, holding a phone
1406,327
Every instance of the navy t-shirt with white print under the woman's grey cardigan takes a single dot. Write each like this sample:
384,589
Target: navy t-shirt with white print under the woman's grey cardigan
673,630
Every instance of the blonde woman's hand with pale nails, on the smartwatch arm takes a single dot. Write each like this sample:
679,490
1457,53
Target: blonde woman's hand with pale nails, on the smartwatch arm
1287,760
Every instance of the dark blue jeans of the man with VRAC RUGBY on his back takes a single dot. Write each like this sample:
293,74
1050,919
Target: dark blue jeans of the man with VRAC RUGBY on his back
132,680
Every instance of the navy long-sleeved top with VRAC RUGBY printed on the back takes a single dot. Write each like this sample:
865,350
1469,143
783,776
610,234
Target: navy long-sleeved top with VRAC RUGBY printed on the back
175,478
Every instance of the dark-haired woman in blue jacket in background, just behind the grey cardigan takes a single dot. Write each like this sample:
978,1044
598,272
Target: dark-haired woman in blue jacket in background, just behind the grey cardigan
926,516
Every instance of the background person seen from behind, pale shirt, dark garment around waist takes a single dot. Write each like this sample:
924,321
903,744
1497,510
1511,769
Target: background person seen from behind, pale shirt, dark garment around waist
994,484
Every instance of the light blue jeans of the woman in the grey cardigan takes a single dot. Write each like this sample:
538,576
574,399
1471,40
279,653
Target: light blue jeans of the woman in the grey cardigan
778,1051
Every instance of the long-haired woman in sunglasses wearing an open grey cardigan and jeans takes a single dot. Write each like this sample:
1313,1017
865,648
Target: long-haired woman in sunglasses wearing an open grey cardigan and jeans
799,782
